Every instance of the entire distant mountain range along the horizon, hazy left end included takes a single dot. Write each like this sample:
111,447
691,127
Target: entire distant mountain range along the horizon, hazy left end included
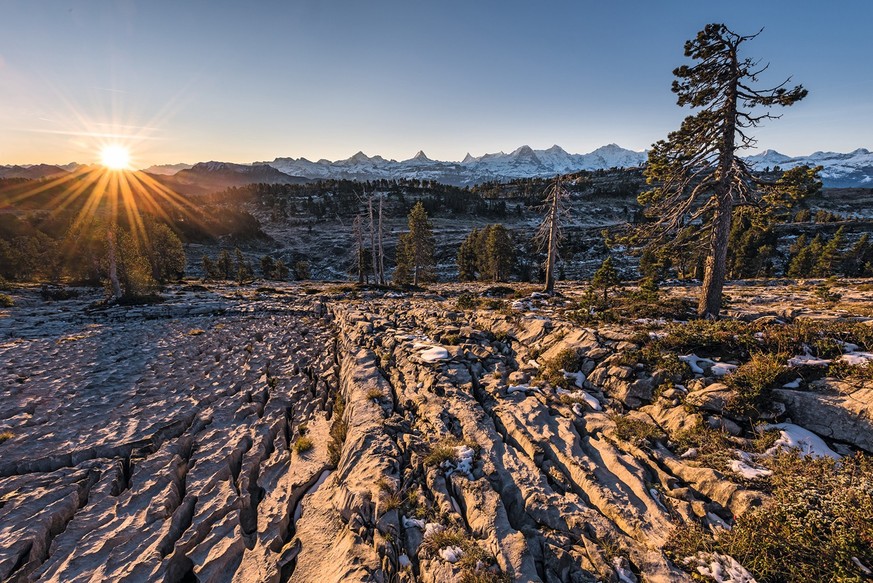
854,169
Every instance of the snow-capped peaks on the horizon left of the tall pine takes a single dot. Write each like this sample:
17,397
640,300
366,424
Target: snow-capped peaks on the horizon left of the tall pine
524,162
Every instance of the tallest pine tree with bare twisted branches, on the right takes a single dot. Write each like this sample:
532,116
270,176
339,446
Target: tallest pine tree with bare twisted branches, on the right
697,173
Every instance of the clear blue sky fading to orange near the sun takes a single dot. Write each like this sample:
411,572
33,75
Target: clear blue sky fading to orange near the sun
195,80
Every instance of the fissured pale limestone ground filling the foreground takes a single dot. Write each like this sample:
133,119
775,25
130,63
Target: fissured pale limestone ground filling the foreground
326,433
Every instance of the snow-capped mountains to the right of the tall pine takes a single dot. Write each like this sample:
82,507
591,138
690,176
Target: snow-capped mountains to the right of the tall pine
839,170
